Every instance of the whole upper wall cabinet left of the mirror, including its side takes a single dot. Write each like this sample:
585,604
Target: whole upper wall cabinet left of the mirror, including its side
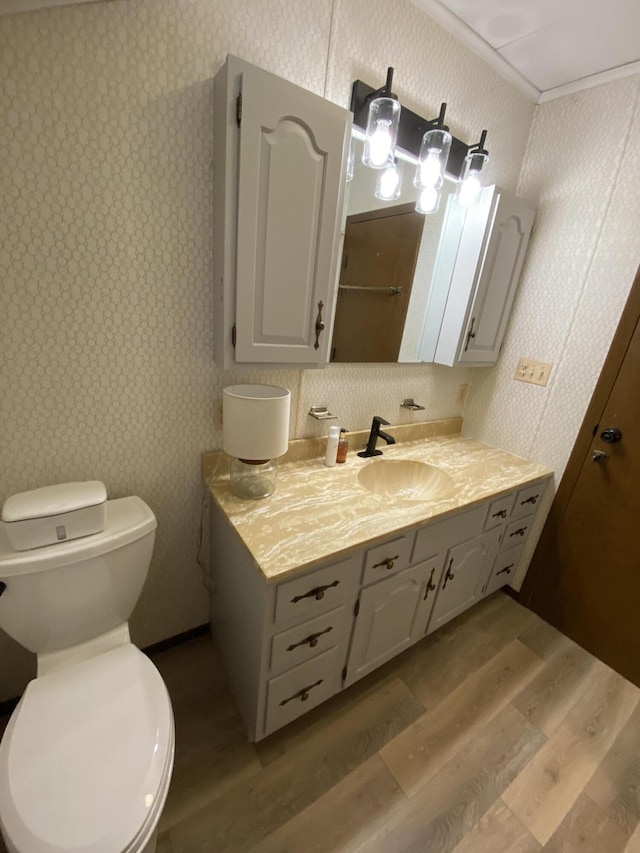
278,188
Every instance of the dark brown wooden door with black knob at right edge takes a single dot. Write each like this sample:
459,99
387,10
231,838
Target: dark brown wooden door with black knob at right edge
585,575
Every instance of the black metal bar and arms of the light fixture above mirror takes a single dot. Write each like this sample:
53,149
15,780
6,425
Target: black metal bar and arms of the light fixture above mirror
412,126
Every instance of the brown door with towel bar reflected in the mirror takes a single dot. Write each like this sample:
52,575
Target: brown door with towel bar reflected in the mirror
378,265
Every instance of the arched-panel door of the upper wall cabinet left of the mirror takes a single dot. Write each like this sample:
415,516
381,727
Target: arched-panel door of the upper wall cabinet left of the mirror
292,156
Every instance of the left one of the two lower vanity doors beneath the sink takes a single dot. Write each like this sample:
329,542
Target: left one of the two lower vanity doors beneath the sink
392,615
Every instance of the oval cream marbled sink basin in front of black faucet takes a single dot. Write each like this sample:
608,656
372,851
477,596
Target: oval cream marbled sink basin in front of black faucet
407,479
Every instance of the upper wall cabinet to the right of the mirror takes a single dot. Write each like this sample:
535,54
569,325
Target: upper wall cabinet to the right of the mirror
475,278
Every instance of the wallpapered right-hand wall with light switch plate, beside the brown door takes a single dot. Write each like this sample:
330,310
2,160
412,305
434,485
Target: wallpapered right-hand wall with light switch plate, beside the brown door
580,172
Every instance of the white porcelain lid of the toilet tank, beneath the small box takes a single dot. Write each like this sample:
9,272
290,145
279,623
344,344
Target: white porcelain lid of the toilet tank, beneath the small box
128,519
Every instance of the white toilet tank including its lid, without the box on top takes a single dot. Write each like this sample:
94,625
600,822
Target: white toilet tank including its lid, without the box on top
68,593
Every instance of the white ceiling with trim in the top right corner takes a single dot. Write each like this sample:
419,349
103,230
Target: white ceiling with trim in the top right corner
547,47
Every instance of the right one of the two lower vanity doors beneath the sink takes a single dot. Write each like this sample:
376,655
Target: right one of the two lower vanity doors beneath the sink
465,571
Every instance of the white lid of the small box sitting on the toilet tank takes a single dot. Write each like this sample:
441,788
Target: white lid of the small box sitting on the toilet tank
53,500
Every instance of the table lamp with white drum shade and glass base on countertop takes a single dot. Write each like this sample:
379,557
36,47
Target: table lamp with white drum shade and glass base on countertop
255,432
